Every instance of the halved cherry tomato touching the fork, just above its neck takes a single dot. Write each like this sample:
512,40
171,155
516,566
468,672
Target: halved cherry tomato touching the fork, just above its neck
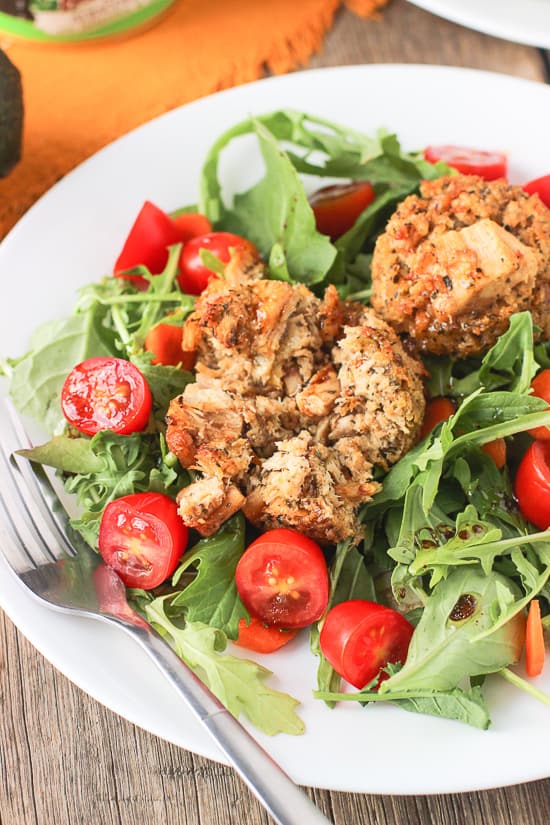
142,537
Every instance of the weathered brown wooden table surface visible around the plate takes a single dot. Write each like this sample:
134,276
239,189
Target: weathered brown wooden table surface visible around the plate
66,760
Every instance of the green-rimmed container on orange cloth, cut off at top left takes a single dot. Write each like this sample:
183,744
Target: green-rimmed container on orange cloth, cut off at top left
74,21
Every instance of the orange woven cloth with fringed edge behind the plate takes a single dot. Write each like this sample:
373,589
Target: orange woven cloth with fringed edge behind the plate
80,97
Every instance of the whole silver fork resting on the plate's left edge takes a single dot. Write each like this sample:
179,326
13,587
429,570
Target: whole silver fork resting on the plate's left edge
59,570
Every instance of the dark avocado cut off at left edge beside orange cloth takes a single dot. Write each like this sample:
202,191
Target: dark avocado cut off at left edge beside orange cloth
11,115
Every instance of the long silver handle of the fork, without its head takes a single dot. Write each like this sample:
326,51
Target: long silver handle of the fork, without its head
286,803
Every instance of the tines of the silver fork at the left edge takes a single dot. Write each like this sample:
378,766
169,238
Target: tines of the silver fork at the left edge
27,516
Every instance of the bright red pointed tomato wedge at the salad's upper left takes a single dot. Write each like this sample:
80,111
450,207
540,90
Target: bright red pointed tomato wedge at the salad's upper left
147,244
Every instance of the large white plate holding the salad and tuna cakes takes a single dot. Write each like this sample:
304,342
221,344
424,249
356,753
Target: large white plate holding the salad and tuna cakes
72,235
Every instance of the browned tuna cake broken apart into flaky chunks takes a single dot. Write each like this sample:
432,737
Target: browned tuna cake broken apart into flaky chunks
296,400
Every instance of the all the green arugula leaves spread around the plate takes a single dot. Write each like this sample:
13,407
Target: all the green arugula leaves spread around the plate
444,532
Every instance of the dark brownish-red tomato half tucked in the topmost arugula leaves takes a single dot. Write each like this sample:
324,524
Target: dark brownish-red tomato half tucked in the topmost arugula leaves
336,208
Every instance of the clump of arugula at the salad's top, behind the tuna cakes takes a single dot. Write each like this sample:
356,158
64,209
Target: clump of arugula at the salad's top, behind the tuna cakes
275,213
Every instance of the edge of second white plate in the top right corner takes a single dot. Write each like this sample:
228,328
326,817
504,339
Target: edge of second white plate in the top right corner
522,21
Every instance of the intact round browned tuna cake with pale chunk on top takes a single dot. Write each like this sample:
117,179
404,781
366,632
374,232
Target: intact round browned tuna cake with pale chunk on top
456,261
